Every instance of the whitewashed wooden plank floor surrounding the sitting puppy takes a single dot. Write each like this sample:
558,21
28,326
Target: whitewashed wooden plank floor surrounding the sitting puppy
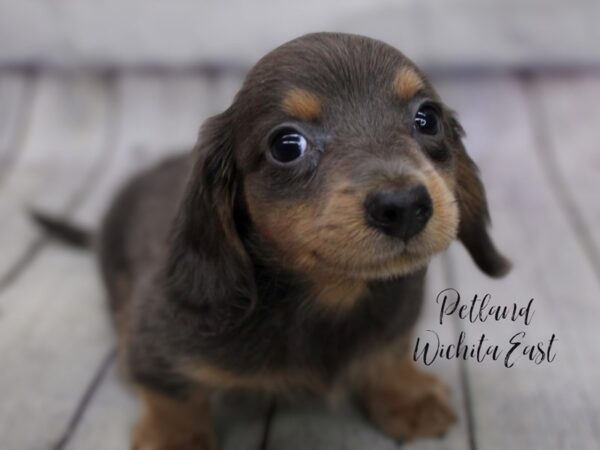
67,142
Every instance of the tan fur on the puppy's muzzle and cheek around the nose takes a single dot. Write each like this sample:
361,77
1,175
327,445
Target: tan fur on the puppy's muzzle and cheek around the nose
331,239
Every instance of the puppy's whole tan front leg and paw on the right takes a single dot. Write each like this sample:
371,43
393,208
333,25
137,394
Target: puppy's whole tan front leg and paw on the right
403,401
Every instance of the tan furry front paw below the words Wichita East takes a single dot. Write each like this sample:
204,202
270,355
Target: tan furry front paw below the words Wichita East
419,407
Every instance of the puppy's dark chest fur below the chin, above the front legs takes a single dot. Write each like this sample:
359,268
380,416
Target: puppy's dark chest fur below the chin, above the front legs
286,333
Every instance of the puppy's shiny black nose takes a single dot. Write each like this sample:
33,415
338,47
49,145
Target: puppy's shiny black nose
402,213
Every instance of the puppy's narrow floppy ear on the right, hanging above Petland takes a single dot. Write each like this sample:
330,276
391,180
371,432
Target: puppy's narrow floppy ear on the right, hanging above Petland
474,214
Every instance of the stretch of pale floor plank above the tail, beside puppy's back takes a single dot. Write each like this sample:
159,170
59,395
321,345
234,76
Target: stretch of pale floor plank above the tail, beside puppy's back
158,116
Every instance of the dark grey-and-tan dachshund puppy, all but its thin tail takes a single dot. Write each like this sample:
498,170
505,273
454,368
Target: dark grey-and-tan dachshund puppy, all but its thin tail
288,252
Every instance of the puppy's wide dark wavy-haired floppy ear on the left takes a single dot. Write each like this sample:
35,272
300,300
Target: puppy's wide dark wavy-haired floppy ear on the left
208,267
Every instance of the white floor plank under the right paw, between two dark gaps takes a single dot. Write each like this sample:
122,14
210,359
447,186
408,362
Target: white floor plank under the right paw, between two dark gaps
310,425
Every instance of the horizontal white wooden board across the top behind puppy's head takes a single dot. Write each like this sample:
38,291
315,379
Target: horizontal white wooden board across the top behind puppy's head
131,32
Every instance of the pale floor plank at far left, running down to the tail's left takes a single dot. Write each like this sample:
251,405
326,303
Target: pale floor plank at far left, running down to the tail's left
60,153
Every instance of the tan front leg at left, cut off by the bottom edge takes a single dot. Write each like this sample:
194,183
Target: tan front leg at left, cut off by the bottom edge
173,424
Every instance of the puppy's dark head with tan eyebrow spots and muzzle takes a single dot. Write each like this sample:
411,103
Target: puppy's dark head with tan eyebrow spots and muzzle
345,161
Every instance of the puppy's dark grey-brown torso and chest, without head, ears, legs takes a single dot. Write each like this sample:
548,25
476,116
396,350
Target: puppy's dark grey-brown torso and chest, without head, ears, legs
282,336
